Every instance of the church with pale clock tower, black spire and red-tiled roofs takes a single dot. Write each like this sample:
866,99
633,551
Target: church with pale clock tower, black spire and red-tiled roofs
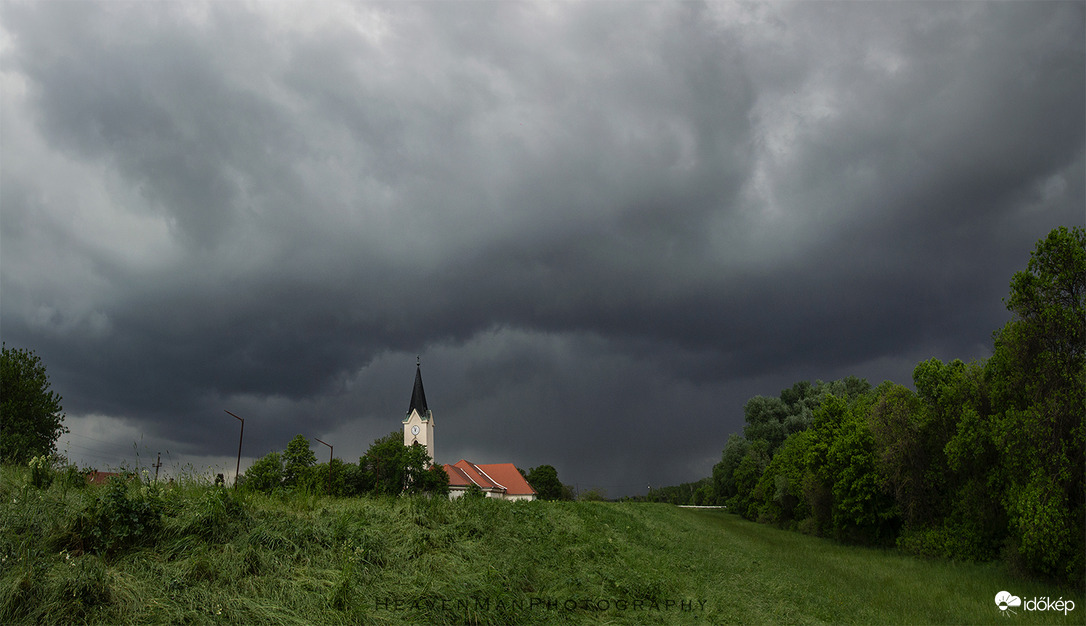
496,480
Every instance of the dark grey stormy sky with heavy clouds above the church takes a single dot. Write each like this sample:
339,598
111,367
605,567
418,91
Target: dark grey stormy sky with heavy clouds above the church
604,227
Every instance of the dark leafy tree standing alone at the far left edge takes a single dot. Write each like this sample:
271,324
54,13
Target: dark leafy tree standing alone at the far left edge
31,415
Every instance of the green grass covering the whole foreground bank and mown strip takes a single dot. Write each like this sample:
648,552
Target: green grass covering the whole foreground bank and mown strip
211,558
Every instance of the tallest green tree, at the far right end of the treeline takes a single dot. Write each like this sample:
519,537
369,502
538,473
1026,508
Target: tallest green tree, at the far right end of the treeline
1038,373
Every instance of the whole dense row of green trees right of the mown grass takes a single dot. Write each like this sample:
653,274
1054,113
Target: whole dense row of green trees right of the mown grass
984,460
